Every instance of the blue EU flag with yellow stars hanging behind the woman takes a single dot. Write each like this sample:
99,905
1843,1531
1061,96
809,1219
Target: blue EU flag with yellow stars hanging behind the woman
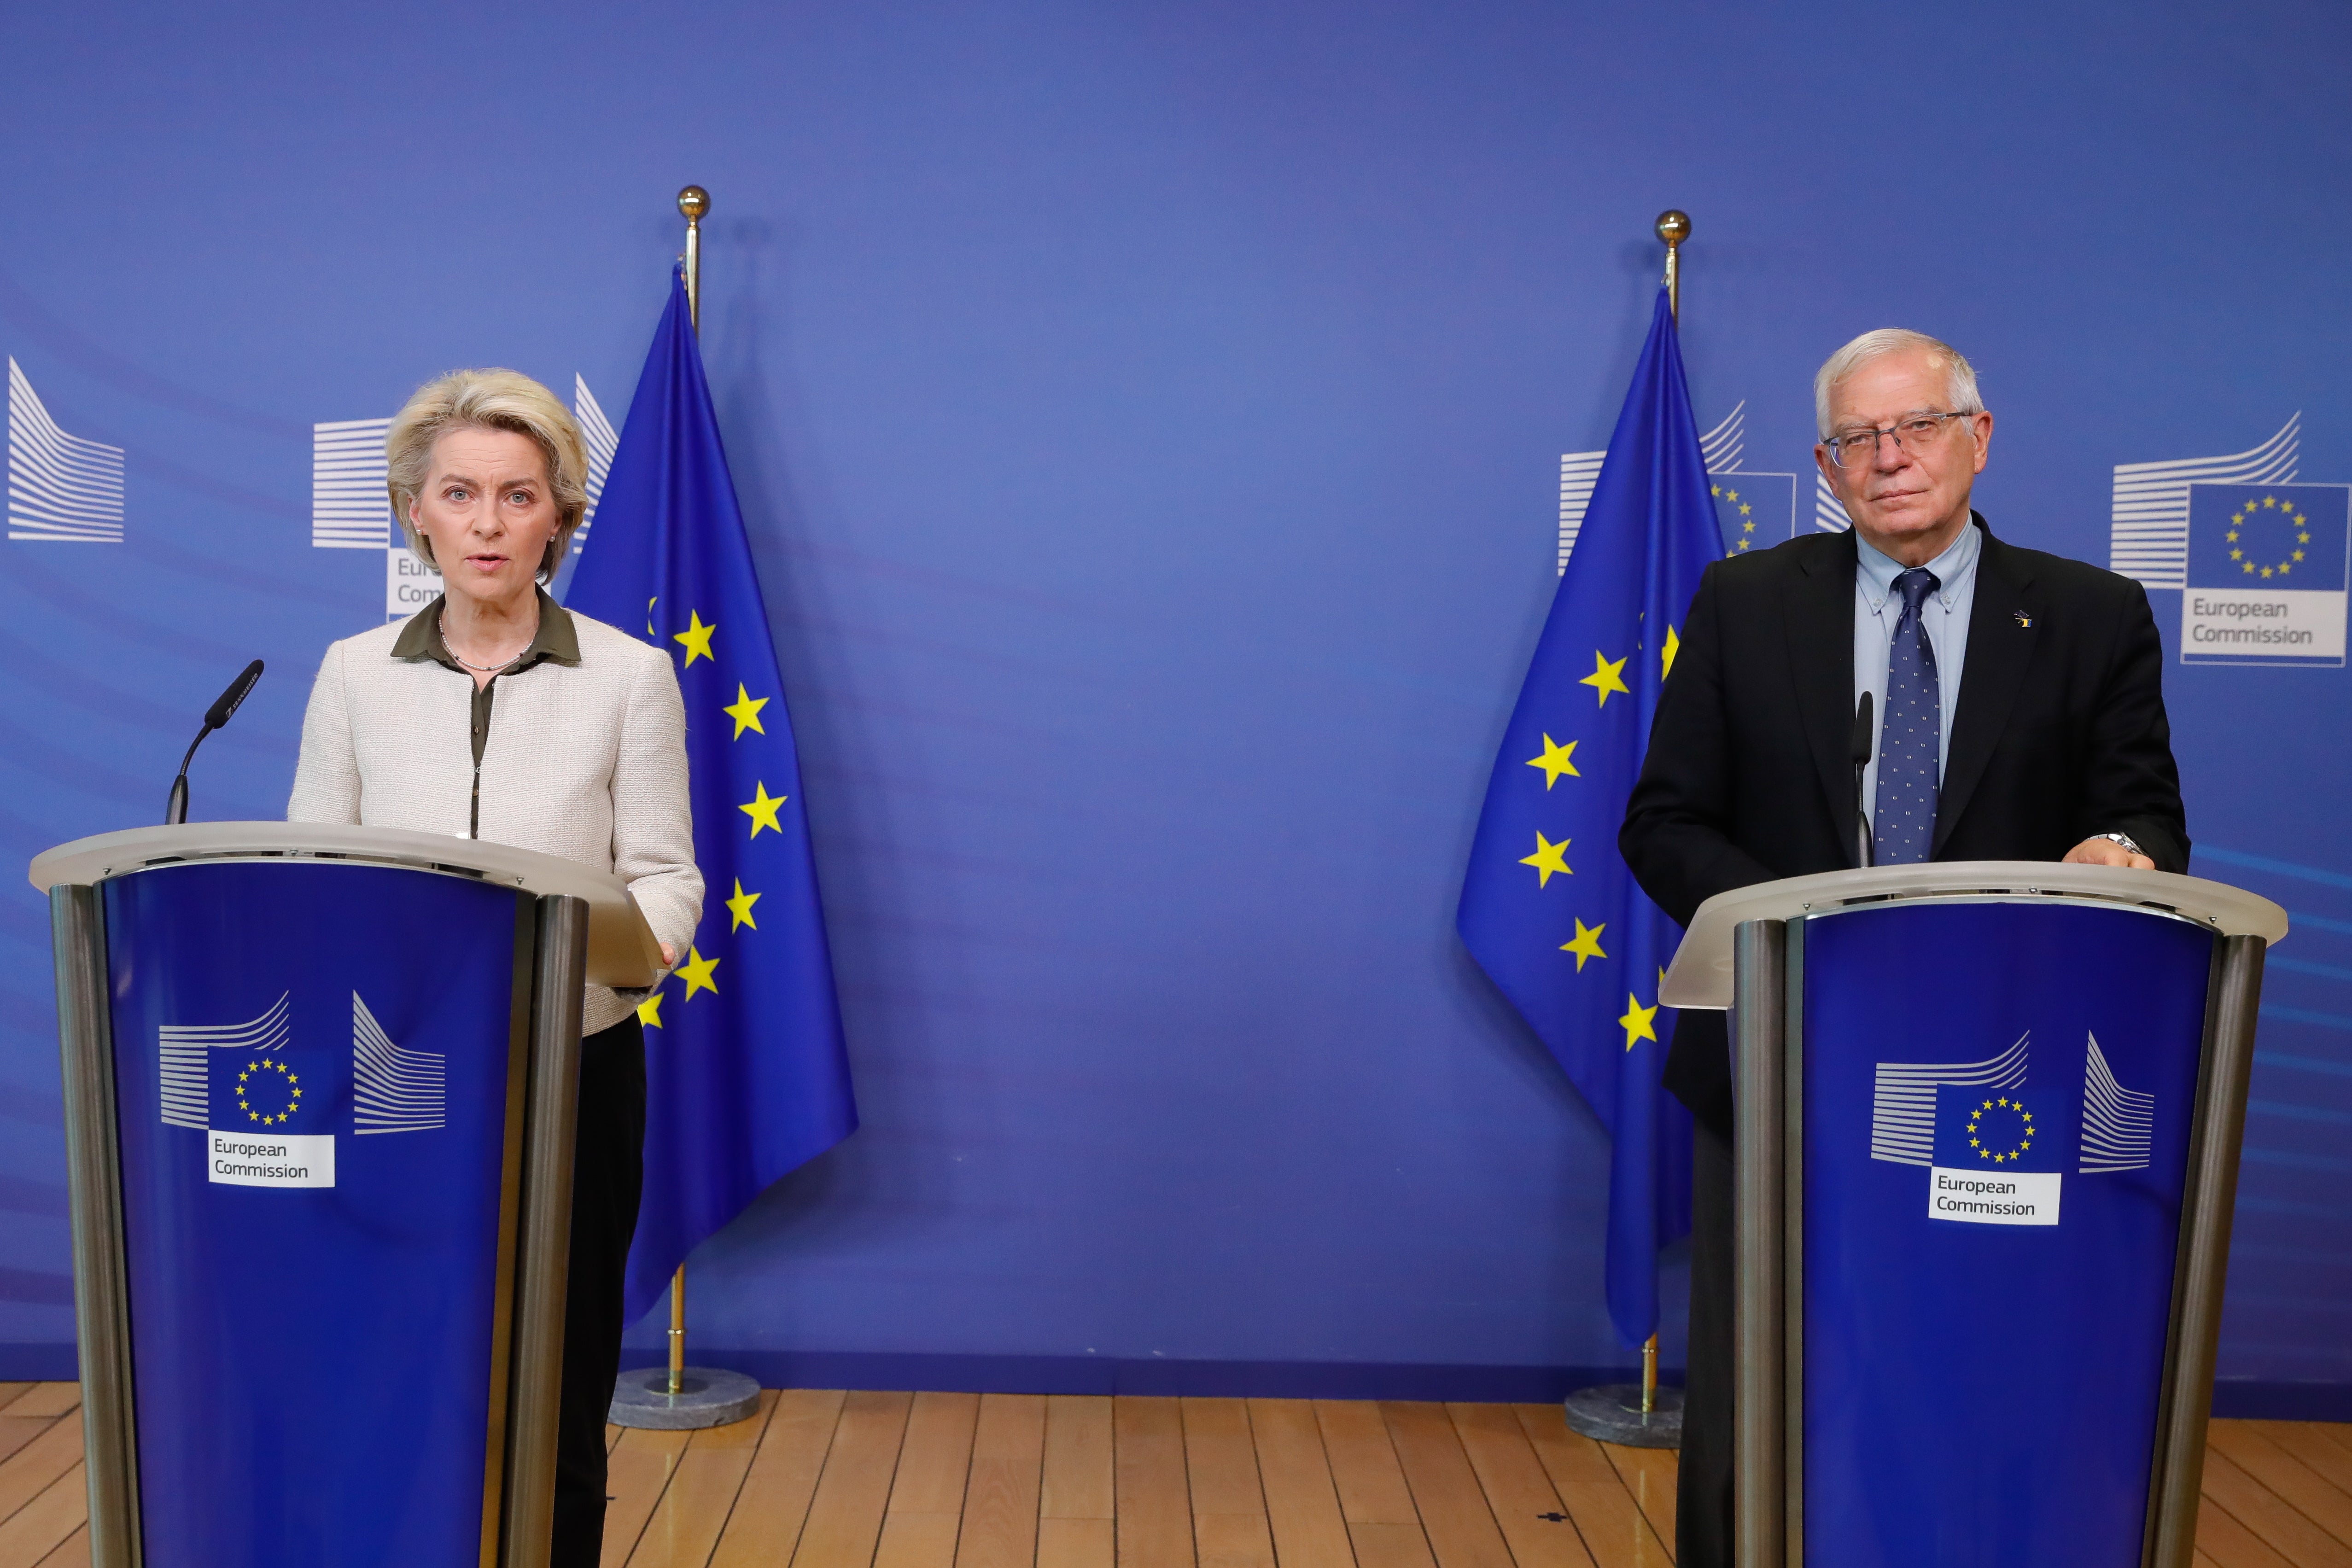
747,1076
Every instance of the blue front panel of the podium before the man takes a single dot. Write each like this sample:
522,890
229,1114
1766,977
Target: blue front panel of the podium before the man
1998,1106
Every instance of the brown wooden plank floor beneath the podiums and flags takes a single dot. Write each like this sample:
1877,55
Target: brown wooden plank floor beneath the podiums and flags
827,1480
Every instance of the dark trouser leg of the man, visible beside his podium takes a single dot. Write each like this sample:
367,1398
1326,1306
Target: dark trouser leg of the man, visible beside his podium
1704,1499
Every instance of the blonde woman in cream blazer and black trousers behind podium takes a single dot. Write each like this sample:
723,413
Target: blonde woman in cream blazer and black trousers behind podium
497,716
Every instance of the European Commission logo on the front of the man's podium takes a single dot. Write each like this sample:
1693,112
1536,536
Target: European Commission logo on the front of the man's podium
1996,1144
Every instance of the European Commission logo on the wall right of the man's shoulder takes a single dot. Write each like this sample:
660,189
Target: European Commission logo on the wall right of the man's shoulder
2259,558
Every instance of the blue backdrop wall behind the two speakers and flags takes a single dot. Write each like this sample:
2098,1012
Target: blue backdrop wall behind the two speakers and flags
1151,429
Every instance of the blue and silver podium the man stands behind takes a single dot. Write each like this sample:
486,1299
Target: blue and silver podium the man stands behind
1984,1158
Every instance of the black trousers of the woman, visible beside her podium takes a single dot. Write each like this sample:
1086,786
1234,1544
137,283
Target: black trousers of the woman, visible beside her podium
608,1177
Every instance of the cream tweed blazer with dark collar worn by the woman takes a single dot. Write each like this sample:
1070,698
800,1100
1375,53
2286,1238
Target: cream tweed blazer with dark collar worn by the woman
587,763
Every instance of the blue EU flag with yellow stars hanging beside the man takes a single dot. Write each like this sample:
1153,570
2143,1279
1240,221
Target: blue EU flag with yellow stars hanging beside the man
1549,909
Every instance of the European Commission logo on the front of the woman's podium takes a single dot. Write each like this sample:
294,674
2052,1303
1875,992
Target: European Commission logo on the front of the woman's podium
269,1108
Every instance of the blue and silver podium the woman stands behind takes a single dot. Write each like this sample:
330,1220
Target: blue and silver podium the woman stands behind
319,1127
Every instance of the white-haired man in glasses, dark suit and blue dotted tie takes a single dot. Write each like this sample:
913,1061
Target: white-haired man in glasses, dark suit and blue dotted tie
2019,716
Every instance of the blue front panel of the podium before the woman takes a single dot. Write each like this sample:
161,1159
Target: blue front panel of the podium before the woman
312,1078
